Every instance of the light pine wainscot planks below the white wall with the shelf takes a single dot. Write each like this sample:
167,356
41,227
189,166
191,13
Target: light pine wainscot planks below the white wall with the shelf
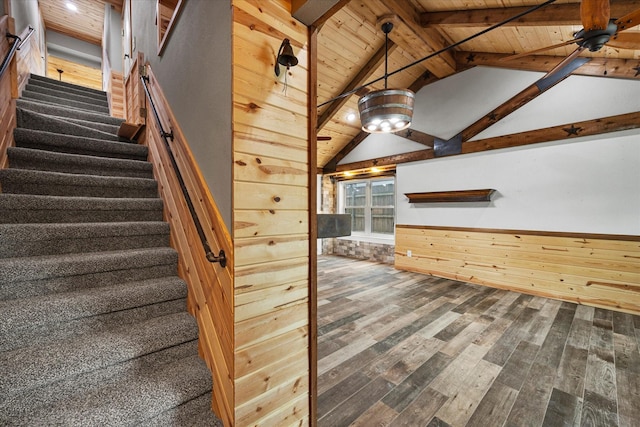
597,270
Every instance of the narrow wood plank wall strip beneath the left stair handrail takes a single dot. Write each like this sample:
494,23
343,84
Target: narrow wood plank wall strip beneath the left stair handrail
7,87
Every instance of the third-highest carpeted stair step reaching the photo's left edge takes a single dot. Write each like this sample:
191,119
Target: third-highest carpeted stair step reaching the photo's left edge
22,240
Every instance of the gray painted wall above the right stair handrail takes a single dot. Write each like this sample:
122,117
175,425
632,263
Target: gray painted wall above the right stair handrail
194,72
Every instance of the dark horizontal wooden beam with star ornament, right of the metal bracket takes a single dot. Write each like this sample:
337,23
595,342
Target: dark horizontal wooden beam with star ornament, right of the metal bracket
556,133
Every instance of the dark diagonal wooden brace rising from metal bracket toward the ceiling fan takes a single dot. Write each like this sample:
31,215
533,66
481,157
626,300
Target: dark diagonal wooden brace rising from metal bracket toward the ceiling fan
524,97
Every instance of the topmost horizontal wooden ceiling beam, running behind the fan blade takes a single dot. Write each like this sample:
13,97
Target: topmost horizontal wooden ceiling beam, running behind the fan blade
554,14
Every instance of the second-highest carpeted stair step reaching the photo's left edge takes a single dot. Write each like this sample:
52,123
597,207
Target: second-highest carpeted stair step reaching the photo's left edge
19,208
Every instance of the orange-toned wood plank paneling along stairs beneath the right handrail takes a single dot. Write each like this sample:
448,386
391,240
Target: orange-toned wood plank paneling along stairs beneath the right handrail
210,285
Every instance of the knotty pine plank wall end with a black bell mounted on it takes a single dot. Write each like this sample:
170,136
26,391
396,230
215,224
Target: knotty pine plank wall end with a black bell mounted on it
271,226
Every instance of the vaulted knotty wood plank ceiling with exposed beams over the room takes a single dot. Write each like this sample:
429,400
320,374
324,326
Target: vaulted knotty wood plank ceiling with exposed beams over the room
351,53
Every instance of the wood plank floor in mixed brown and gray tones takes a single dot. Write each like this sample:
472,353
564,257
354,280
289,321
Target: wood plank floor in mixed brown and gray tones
404,349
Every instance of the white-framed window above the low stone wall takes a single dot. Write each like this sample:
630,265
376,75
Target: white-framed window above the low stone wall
371,204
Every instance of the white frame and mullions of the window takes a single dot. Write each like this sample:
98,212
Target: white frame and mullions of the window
367,233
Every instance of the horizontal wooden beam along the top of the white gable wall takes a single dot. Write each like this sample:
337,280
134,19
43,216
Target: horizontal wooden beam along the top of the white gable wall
597,67
